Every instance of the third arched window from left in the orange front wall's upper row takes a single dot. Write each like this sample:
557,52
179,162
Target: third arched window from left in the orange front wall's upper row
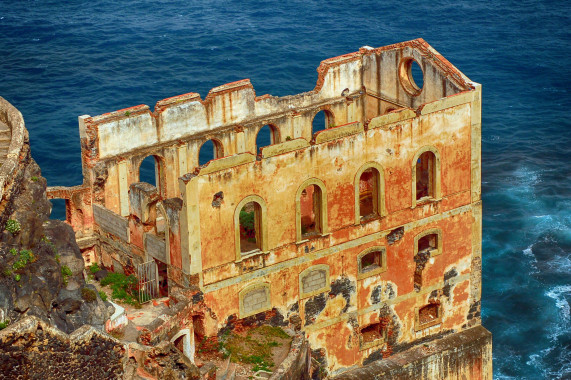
369,192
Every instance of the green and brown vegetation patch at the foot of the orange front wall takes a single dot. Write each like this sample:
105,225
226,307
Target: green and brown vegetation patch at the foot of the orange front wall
254,348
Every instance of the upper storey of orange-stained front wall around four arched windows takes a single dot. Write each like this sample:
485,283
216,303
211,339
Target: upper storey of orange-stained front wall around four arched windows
277,180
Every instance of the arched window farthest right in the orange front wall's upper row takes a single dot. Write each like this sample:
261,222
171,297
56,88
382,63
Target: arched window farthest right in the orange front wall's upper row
426,175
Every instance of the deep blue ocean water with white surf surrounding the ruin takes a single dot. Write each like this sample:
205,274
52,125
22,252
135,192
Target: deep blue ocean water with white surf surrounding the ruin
59,60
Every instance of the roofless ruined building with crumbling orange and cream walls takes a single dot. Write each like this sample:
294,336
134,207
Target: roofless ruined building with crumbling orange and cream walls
366,234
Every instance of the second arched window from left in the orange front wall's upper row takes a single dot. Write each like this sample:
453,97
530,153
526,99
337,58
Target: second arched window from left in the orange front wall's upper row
311,209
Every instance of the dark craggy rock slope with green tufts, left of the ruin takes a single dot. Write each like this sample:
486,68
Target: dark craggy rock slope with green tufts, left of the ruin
41,267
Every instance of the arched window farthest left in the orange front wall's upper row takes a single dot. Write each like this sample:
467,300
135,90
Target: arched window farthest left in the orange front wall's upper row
250,226
